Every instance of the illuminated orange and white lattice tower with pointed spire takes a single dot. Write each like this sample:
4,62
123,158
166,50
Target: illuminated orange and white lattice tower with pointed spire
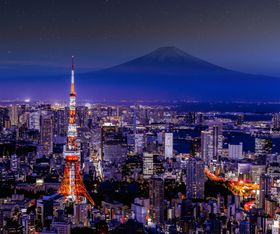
72,186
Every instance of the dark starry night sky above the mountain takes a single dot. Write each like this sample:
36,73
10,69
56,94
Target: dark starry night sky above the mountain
39,36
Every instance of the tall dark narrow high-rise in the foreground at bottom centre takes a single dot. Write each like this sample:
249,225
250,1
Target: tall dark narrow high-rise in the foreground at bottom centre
156,194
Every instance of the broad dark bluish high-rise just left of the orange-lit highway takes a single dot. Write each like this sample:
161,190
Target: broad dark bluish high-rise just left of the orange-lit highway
195,178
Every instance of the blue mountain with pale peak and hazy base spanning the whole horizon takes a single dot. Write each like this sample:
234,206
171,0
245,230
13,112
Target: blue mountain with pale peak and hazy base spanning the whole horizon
165,74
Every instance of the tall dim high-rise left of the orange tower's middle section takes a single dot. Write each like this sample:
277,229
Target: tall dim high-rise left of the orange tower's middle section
46,133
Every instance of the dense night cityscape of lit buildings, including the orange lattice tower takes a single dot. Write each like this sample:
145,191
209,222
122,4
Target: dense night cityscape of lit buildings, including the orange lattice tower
100,168
